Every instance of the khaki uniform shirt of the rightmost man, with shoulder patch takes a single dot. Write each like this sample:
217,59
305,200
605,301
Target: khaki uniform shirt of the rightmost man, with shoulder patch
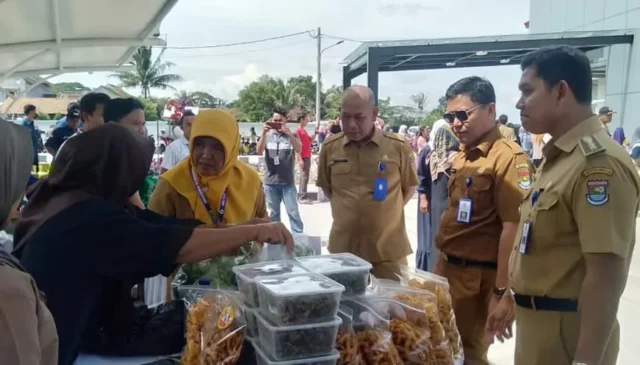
587,198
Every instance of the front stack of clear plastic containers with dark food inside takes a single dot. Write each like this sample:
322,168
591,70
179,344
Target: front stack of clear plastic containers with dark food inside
297,321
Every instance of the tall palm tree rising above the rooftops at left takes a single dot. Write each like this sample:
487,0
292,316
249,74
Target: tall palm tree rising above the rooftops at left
148,74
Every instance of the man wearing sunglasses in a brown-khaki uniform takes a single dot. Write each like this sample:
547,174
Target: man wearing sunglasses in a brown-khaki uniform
489,177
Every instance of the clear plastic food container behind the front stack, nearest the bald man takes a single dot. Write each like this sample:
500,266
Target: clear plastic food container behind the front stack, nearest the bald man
345,268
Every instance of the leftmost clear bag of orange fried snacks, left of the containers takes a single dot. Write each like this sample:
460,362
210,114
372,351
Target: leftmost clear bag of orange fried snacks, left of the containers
215,328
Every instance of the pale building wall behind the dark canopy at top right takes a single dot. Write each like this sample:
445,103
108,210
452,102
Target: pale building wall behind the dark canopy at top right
616,68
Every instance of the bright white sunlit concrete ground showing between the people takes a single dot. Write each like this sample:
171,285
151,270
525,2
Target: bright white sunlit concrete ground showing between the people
317,222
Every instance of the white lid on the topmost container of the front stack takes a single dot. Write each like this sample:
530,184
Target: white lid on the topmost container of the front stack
299,285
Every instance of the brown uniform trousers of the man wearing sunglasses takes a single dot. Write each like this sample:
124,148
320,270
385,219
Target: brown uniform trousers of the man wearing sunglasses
471,289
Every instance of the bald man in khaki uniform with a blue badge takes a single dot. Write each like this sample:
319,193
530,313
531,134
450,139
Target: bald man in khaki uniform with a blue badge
368,175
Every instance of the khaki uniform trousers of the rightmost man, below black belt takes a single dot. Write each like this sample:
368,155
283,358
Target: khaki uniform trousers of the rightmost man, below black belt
551,338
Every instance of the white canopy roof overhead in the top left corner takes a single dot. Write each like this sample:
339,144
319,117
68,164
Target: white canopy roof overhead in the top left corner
52,37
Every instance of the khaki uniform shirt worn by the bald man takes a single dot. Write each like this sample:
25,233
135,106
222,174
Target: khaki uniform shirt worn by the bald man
373,230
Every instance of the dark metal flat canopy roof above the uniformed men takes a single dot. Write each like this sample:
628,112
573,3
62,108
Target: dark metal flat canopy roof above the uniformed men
430,54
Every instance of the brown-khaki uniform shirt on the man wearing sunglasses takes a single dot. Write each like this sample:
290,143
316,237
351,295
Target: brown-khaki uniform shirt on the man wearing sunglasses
500,174
